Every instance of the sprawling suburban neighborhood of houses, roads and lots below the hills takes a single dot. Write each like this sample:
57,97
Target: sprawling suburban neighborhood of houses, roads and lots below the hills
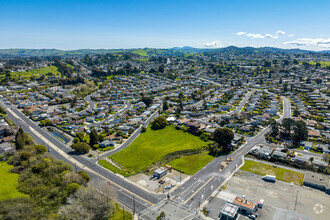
199,133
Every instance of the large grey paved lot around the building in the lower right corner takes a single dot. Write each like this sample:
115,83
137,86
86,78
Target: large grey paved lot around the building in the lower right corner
281,201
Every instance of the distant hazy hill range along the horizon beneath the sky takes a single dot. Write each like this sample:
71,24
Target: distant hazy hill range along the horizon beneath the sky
148,52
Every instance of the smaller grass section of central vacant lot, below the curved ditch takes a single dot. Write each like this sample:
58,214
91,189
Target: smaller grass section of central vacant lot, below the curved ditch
192,163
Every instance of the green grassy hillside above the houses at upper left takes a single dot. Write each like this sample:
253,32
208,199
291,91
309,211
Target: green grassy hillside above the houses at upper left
36,72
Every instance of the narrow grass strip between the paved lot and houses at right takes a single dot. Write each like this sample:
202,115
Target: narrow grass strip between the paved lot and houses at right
280,173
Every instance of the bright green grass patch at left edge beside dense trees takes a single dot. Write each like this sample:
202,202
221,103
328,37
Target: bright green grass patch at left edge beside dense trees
8,183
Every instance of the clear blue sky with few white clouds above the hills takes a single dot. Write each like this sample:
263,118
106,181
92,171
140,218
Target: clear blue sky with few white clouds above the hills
76,24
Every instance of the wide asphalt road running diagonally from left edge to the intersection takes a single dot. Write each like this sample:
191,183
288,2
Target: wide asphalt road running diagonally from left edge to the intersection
124,189
